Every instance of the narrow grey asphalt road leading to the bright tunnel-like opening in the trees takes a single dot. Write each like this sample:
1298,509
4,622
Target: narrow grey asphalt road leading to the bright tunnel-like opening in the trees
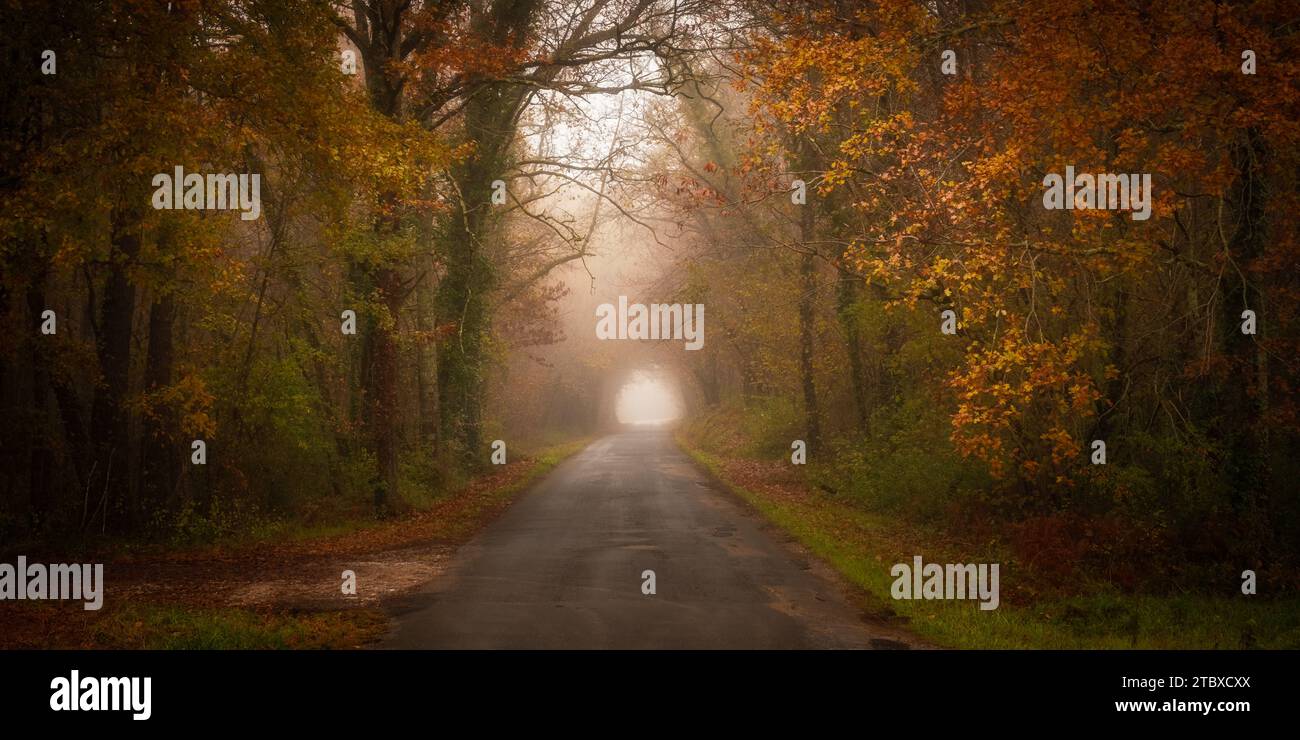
564,568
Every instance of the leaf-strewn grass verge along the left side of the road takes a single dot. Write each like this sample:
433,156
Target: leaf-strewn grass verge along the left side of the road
196,620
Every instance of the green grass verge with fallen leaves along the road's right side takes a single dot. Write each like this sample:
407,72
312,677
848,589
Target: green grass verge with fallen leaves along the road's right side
864,547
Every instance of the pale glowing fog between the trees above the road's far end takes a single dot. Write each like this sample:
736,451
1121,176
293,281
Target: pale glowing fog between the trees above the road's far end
597,183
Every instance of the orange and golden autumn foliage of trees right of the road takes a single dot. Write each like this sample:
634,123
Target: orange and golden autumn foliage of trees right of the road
1073,326
